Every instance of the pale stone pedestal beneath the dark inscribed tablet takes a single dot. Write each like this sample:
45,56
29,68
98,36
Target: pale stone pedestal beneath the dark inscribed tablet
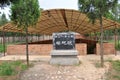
64,57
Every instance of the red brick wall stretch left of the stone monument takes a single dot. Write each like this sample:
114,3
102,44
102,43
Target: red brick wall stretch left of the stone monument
33,49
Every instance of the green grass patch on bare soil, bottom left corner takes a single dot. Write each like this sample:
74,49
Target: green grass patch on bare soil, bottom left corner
9,70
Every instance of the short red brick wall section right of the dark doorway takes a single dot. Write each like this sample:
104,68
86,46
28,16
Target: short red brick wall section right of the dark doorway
108,48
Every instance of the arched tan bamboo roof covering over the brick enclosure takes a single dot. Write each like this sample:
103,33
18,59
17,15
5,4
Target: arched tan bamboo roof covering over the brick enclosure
58,20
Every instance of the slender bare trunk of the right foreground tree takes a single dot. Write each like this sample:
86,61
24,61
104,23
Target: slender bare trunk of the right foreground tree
101,43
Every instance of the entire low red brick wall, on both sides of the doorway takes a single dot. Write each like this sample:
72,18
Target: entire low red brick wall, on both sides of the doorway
45,49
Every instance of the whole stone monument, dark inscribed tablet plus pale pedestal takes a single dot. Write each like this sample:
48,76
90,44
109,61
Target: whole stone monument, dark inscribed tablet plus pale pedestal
64,52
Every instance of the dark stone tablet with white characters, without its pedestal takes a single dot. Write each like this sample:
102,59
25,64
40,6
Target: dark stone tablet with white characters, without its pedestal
63,41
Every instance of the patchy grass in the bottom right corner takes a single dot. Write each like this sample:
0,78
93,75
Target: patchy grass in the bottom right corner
114,72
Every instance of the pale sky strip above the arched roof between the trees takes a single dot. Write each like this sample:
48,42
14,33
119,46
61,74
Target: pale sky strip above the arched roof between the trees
52,4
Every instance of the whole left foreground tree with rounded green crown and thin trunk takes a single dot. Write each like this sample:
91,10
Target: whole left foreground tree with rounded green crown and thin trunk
25,13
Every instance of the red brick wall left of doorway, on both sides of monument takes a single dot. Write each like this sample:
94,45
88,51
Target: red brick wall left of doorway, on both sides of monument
40,49
